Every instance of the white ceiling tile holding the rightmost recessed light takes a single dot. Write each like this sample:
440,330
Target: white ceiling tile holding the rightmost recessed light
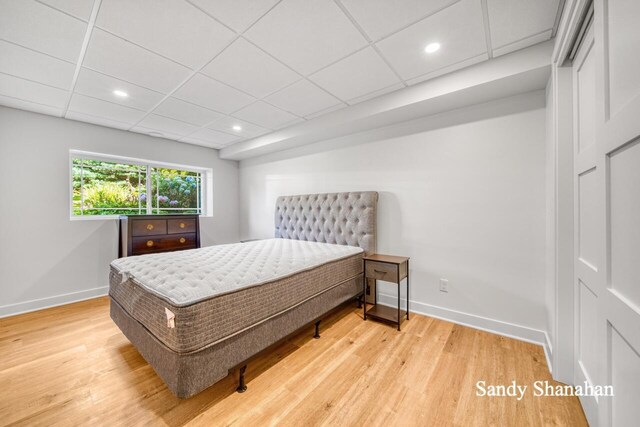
459,29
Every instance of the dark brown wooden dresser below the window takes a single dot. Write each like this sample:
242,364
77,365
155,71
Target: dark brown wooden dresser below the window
144,234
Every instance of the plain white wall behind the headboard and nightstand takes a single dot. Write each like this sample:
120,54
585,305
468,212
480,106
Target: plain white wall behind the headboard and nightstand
462,194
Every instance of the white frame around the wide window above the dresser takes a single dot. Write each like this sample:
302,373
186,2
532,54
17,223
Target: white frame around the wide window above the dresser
205,173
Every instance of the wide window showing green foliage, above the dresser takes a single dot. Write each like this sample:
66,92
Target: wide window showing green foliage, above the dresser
107,186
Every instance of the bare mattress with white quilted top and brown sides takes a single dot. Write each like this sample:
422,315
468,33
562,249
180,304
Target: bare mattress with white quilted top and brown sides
217,292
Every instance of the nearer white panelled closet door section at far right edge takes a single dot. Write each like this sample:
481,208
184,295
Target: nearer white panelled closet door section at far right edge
617,150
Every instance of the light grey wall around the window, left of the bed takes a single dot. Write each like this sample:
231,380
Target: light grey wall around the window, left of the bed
47,259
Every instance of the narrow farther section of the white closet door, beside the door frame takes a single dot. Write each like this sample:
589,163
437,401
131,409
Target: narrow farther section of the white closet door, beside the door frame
589,225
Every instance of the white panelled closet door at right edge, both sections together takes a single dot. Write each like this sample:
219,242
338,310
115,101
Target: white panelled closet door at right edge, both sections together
607,212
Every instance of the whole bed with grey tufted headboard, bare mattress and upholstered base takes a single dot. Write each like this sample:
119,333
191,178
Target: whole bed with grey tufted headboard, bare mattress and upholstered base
195,315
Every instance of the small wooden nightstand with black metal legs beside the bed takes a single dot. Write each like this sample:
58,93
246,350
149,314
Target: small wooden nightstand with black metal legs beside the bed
390,269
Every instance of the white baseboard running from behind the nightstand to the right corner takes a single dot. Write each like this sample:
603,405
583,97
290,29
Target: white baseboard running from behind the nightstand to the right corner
511,330
